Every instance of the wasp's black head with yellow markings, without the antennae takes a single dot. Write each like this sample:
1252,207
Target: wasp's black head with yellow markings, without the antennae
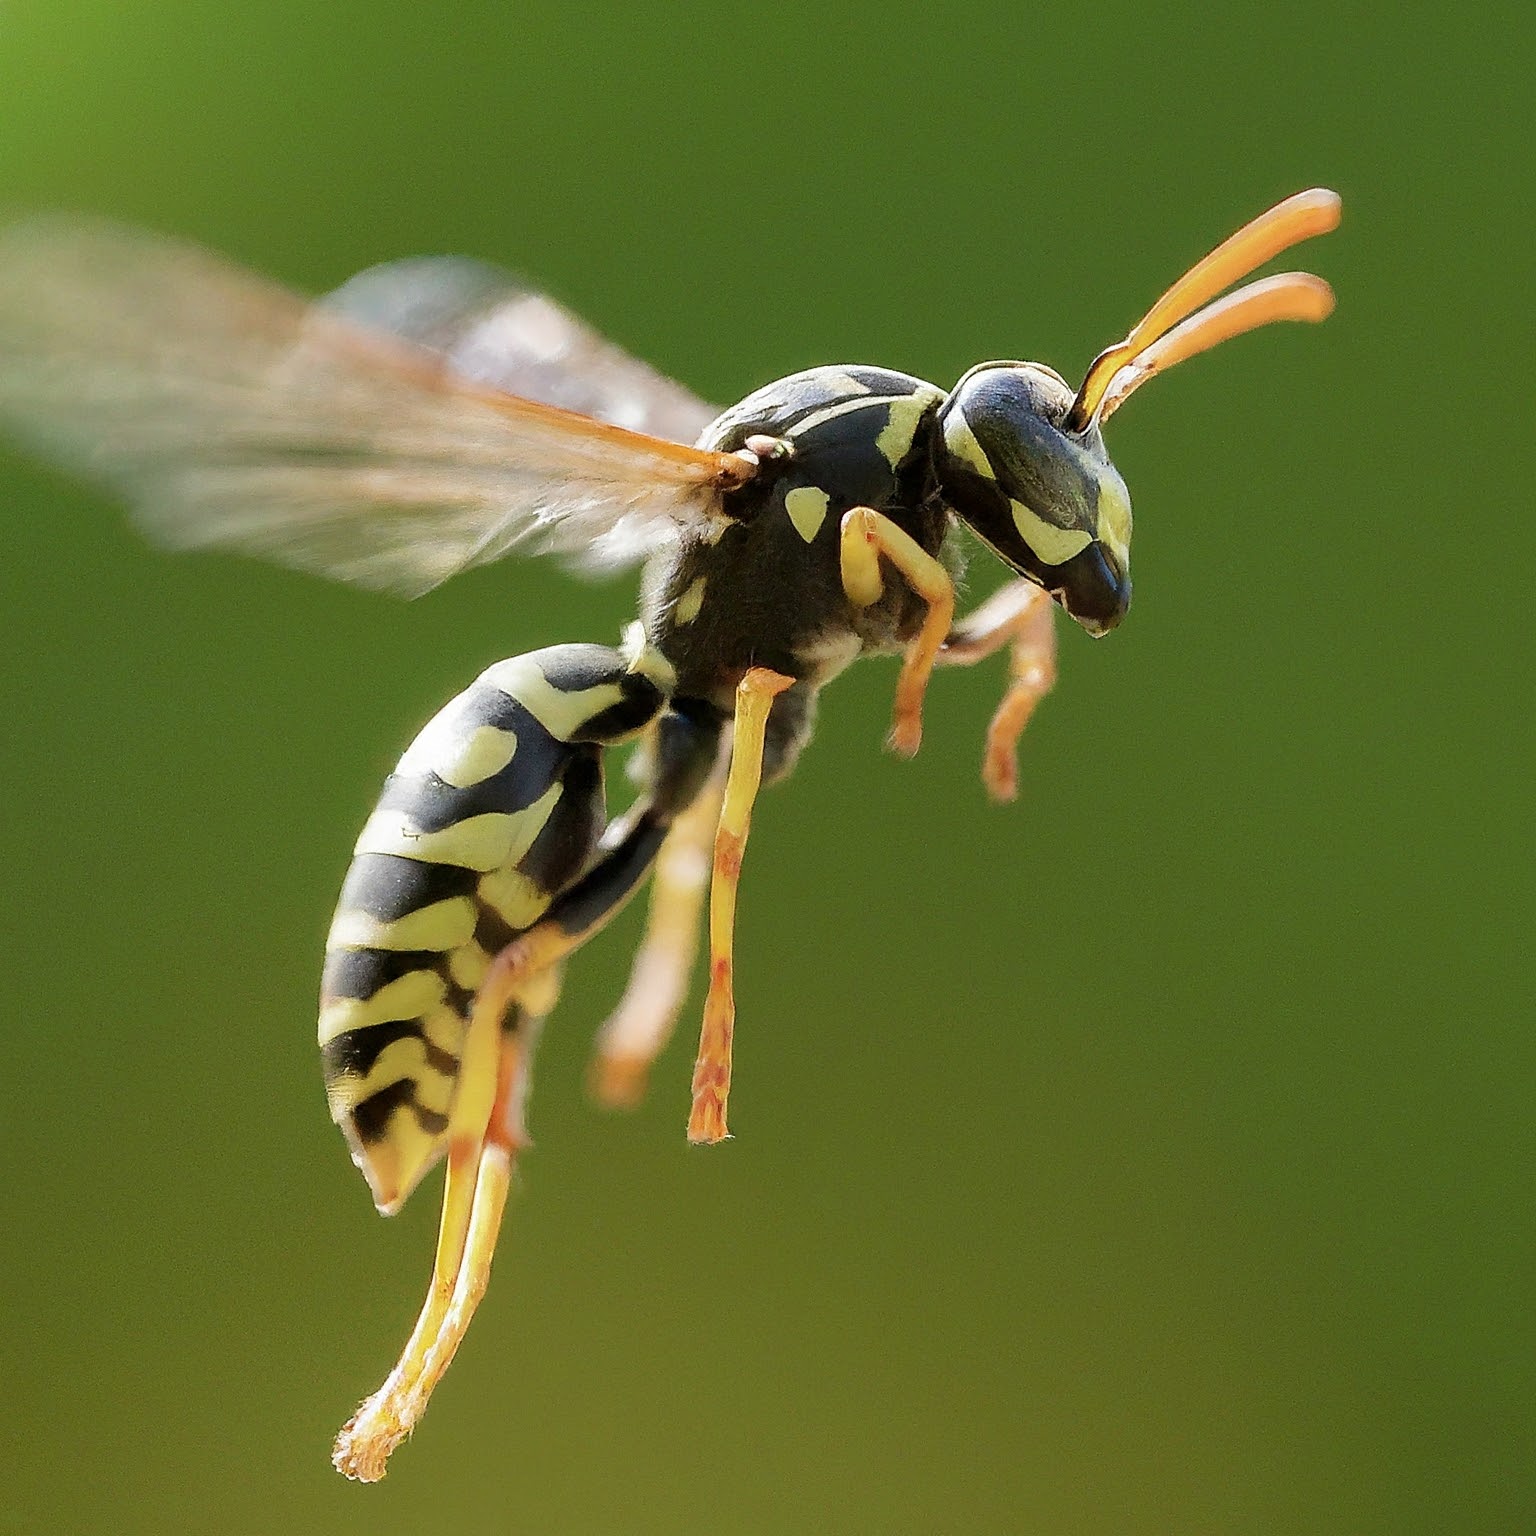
1047,502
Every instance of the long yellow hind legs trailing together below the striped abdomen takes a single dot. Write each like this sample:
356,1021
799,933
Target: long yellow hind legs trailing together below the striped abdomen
485,1133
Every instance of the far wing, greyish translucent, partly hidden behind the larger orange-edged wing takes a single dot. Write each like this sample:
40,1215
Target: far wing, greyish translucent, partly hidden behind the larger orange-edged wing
491,328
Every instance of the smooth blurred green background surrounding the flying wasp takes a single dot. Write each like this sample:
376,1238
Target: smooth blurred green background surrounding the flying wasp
1150,1157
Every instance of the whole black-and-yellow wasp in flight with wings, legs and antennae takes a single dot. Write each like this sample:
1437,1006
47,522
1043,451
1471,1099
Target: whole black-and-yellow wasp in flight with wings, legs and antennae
434,415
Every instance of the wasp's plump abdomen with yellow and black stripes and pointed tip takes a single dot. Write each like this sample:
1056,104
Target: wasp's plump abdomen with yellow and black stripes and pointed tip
494,810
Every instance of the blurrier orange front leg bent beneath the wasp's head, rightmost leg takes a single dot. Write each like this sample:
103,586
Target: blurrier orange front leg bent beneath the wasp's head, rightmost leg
1024,615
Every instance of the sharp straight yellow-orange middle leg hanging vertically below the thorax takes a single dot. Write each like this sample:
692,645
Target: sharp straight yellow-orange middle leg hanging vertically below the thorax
712,1073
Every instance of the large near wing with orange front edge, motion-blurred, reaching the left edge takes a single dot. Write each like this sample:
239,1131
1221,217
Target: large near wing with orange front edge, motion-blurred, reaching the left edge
233,414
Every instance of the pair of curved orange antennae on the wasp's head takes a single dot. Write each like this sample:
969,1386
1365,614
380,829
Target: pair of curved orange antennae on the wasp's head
1296,296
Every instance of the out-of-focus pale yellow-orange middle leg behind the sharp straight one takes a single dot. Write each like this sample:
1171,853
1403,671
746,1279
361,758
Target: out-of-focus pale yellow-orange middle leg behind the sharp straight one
643,1024
